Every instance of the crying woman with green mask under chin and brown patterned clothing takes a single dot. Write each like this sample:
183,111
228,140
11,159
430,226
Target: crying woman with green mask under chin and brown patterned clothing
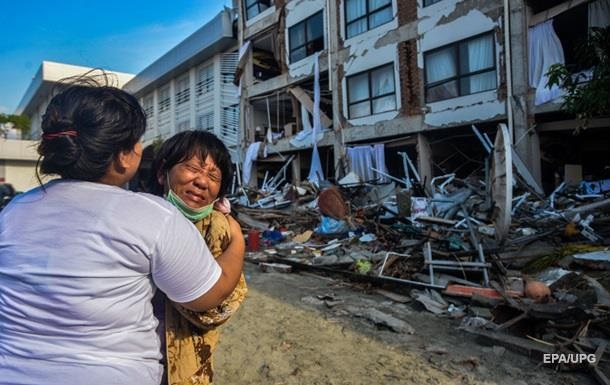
192,170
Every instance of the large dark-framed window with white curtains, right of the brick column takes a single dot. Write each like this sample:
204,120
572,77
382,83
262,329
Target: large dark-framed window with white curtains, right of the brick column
462,68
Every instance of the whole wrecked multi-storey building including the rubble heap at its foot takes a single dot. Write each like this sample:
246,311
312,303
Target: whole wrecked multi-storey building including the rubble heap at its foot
476,191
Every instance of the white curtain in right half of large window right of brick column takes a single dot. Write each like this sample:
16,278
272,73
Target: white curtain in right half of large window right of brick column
480,56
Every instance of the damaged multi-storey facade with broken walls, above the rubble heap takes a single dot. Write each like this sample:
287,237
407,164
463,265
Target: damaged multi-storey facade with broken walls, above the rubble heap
406,79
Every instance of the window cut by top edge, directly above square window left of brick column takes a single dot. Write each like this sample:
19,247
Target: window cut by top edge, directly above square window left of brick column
363,15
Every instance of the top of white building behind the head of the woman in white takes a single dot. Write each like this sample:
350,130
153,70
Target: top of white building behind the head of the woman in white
46,82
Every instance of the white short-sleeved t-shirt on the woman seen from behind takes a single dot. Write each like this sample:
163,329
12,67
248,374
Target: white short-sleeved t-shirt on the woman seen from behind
78,268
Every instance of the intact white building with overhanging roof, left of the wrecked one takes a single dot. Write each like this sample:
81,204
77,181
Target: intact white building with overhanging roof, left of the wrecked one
191,86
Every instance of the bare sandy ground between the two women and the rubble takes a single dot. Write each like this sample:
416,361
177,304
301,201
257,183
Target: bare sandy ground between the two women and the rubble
284,335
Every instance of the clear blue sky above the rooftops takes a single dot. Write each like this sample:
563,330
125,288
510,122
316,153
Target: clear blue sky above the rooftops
124,36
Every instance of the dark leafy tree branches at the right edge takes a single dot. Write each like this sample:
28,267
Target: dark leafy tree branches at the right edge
587,92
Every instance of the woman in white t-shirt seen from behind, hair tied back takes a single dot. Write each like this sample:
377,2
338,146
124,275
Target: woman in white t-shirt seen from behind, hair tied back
80,257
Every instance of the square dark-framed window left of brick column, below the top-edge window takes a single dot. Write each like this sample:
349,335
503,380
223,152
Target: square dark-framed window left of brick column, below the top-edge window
371,92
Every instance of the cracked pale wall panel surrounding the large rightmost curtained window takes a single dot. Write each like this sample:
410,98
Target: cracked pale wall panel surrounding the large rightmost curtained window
450,21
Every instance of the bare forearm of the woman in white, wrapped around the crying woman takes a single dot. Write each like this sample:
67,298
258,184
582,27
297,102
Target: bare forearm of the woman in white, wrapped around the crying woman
231,263
